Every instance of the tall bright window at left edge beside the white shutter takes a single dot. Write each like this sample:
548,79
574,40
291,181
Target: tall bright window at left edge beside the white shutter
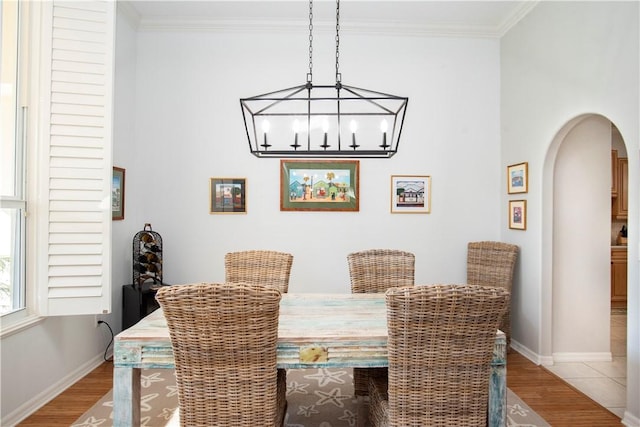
12,192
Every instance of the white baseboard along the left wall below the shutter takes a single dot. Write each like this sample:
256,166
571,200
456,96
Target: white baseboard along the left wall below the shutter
44,397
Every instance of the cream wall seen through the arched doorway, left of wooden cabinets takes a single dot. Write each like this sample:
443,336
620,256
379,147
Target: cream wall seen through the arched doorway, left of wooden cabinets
577,238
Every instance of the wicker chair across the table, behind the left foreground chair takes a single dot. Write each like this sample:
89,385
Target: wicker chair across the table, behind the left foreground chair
271,268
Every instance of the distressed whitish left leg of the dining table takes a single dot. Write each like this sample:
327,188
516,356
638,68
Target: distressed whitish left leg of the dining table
126,397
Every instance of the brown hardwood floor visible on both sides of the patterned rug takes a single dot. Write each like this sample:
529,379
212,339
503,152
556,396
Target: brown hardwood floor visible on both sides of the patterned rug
555,401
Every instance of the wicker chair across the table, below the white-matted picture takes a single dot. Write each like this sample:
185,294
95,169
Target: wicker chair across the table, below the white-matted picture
375,271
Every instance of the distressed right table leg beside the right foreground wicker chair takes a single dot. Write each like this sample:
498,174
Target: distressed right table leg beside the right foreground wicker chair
498,385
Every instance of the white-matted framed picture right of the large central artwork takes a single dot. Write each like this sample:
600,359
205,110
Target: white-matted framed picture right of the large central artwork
410,194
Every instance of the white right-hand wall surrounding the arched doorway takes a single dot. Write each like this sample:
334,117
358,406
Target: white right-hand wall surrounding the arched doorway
562,61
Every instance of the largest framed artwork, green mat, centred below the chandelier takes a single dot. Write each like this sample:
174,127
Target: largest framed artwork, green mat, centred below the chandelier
319,185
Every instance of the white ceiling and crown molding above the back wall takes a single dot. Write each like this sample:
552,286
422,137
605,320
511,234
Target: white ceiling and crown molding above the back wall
489,18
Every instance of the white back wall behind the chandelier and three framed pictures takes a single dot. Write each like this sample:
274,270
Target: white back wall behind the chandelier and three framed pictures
189,128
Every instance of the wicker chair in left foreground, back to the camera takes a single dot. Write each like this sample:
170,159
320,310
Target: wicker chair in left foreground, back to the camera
224,339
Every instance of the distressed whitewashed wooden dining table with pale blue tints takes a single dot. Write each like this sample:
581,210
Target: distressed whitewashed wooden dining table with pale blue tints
328,330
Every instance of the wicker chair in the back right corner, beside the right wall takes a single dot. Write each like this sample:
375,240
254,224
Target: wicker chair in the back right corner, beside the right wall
492,264
